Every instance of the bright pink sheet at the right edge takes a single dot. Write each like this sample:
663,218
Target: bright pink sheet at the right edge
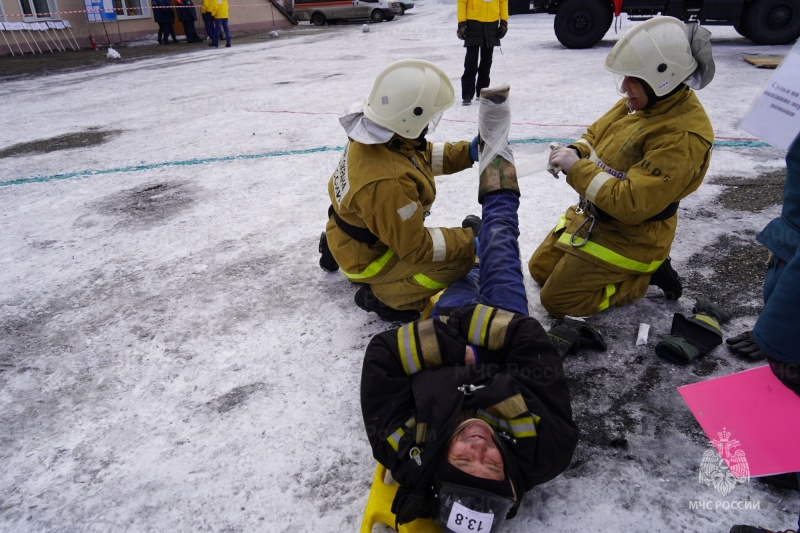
755,409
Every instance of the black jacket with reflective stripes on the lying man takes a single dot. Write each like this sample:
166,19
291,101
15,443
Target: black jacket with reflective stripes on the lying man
411,402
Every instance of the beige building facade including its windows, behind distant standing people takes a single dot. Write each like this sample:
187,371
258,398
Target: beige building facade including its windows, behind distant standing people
50,26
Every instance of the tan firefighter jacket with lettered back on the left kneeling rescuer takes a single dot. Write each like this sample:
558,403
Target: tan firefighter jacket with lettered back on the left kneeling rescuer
388,189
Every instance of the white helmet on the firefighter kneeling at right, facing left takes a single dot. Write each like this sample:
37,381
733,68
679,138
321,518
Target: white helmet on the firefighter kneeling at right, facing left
656,51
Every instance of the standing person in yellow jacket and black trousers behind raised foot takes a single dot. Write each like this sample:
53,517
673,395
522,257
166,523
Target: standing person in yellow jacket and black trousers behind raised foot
481,25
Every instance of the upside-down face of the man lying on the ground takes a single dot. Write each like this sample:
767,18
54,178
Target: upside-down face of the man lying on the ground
474,451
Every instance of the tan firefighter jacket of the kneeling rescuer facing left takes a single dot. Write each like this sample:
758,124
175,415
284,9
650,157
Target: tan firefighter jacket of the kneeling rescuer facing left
633,166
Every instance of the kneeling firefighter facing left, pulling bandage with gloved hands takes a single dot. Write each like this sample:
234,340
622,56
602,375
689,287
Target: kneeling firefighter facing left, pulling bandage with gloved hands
631,169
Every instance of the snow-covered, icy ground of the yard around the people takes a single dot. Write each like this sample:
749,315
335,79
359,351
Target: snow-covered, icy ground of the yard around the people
172,358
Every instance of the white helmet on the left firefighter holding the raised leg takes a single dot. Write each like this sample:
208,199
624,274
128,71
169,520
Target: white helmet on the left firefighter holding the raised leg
409,95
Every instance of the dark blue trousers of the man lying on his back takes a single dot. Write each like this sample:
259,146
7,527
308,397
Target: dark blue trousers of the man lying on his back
497,281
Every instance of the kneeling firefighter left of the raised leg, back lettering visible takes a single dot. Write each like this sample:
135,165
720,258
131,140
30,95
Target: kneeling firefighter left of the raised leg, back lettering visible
383,188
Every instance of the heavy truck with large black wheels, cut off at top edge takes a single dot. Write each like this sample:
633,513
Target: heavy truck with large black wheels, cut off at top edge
582,23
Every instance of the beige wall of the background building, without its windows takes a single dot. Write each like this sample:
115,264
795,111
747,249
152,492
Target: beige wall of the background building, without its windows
245,15
